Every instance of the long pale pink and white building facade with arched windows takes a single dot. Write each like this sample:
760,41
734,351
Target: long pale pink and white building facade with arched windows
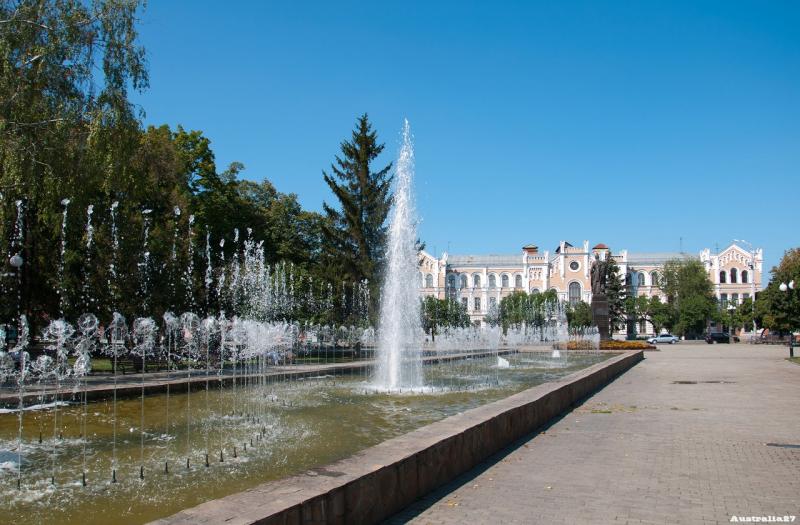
479,282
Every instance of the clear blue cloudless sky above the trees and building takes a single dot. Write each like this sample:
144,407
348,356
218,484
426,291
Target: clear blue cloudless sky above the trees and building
630,123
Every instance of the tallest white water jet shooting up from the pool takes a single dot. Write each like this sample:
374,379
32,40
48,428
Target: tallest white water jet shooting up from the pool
400,340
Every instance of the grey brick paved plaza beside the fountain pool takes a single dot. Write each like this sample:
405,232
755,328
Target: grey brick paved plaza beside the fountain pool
686,436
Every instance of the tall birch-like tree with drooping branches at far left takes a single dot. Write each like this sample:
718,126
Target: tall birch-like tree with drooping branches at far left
66,69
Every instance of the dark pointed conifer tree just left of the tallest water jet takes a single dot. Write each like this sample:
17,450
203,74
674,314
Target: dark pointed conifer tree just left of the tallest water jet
355,231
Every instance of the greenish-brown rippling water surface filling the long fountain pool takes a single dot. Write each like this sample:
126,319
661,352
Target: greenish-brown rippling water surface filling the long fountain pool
250,434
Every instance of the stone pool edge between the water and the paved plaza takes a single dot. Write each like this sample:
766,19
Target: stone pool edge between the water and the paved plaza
378,482
